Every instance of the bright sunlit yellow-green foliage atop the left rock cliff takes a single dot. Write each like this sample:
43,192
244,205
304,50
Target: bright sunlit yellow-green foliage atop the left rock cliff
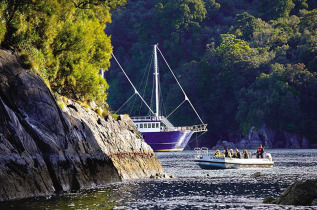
64,40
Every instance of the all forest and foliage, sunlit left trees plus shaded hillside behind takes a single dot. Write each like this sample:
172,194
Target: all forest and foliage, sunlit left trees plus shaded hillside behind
243,63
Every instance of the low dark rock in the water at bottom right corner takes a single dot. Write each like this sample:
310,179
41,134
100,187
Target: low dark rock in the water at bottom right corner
299,193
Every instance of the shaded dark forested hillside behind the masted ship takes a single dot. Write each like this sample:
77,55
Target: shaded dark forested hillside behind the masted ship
243,63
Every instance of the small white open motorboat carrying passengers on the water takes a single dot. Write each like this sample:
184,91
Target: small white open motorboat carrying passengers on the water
207,161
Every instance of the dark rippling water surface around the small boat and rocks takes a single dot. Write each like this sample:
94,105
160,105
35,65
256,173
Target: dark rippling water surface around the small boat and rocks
192,189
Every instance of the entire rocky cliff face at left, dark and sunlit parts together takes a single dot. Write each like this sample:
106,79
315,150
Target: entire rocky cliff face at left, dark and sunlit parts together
44,150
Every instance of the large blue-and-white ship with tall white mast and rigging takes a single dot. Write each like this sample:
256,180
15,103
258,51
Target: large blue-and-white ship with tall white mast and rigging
156,129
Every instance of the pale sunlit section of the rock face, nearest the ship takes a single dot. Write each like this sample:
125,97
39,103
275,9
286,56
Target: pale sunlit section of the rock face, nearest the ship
119,139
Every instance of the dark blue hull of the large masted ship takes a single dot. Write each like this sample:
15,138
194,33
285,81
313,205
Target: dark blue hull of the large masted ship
167,141
